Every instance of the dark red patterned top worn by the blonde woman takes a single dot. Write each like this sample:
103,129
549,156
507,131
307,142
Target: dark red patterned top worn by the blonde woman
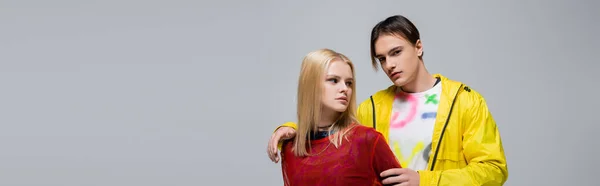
358,161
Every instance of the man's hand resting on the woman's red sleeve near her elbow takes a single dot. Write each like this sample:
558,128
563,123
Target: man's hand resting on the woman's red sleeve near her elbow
400,177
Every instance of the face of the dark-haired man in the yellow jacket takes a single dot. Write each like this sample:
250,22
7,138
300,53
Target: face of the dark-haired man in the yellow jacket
398,58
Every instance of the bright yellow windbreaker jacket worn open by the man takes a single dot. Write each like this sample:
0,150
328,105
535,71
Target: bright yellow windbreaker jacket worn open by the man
466,145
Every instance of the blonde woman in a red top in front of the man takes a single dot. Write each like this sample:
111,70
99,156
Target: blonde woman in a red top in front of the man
331,147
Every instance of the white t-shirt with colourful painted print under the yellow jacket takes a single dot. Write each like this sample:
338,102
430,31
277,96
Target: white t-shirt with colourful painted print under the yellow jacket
411,126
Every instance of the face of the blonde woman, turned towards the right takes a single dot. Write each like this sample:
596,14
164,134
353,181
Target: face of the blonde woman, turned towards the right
337,86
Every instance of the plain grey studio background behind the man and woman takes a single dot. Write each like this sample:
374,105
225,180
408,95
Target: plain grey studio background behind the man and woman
187,92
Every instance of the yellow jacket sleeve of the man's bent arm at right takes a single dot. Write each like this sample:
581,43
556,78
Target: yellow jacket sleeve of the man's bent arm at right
483,151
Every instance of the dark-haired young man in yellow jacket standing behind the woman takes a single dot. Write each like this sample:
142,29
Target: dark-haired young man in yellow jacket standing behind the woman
439,129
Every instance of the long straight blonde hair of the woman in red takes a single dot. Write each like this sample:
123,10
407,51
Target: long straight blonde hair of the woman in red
310,89
